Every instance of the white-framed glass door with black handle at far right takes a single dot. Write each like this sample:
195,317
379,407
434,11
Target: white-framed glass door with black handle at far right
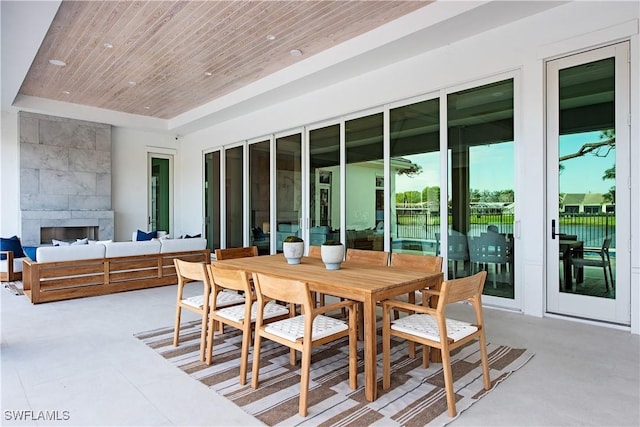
588,136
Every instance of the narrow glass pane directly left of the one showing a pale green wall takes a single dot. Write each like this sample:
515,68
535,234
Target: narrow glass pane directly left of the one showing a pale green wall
324,185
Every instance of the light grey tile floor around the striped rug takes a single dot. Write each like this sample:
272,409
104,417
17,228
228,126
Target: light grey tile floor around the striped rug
80,358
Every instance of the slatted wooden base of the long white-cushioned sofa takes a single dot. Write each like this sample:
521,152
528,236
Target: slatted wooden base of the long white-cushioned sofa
56,281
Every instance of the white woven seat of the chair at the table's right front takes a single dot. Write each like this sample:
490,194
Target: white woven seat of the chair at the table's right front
425,326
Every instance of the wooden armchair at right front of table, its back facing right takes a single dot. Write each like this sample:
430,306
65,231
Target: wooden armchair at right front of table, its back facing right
431,328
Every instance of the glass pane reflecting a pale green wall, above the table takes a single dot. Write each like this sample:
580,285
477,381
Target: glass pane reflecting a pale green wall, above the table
364,168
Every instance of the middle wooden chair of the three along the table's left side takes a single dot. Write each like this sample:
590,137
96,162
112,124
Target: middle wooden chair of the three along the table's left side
242,316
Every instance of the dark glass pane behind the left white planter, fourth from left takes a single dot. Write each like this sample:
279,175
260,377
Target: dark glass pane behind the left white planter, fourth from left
288,187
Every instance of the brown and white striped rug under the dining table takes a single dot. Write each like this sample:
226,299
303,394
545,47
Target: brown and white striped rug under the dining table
416,396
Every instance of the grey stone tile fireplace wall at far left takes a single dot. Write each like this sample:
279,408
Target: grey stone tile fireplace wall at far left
65,175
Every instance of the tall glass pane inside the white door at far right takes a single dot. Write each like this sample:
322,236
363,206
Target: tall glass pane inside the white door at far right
587,172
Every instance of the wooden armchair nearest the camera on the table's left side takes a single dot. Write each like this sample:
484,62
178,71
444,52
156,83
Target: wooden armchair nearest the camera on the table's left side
300,332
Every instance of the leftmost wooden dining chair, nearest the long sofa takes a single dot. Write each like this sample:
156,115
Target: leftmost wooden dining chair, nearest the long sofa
197,272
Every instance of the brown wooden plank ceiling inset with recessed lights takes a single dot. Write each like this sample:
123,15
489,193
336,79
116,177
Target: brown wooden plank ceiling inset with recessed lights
161,59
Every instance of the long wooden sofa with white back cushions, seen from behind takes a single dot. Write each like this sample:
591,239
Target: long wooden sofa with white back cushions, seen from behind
66,272
